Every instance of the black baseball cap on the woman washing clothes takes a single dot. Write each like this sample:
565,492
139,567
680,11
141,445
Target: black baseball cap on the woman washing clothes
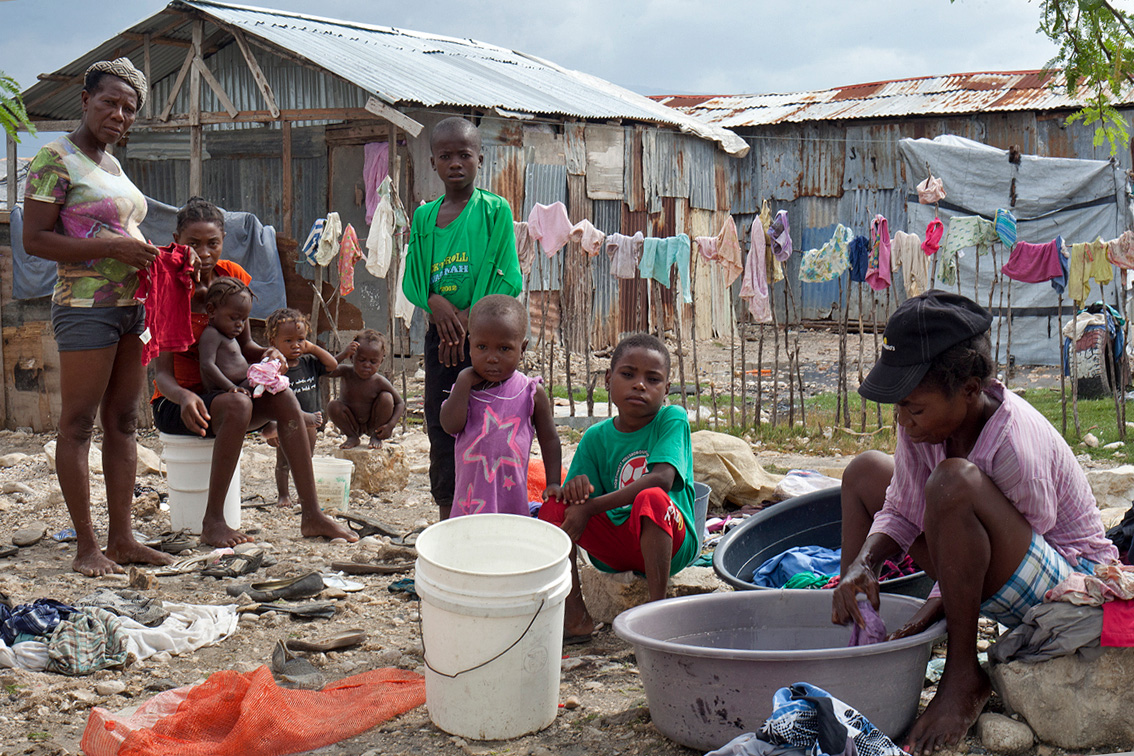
921,329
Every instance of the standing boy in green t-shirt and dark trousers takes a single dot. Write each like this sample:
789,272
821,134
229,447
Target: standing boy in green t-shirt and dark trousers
462,248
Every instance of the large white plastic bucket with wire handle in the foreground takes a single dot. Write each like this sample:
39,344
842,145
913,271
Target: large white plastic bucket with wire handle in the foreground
493,590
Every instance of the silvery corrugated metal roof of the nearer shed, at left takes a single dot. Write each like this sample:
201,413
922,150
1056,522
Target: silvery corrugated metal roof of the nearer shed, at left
394,65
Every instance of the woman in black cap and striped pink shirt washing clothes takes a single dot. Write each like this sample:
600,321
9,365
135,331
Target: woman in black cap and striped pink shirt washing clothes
983,492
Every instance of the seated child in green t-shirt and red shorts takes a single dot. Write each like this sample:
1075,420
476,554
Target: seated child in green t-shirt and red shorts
629,497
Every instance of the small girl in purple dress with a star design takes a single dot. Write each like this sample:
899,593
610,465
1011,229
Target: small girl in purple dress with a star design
494,411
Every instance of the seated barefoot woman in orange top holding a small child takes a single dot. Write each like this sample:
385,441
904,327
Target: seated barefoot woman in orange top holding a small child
183,407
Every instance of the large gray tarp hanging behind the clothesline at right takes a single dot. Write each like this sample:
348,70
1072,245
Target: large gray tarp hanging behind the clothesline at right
1079,200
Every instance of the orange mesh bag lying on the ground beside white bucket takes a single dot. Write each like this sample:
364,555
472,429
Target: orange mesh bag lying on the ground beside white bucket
249,715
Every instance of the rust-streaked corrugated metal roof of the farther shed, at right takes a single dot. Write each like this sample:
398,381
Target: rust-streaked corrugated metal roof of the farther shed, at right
957,94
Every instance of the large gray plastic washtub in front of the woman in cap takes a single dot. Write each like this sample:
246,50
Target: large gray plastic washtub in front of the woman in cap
710,664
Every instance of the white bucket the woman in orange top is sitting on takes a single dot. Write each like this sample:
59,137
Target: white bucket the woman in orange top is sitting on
189,462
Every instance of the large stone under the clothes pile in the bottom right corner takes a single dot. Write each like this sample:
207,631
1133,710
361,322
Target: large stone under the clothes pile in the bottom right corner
1040,692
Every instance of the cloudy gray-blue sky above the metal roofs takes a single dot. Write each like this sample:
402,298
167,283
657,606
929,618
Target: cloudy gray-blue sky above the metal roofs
654,47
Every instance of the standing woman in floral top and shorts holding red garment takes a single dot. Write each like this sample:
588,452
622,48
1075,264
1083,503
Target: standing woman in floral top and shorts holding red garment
82,213
